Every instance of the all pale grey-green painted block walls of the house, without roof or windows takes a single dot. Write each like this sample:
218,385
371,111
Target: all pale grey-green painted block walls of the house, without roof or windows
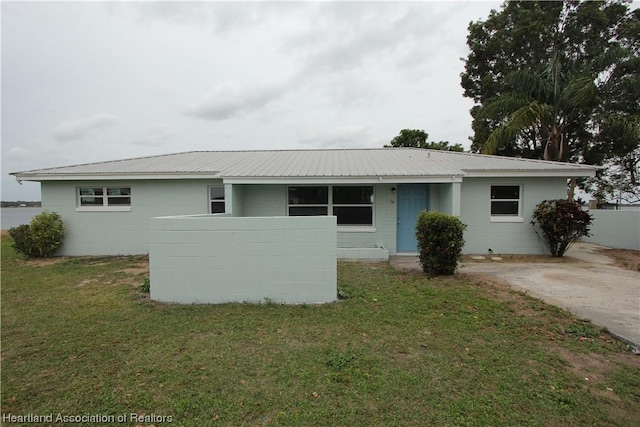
112,233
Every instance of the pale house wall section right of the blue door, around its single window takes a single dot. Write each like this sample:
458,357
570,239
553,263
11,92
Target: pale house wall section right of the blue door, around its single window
505,237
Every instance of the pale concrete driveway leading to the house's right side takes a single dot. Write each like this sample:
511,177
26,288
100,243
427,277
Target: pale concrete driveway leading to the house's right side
592,288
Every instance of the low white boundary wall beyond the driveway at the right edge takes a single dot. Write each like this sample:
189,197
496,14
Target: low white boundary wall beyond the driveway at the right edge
616,229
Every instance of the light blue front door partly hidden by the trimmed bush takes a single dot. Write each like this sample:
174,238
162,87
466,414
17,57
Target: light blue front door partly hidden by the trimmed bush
411,199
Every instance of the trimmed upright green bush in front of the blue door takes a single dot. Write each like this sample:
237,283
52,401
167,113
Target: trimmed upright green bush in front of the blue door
440,242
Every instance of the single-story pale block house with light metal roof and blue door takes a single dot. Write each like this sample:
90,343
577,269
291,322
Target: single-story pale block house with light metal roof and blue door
375,195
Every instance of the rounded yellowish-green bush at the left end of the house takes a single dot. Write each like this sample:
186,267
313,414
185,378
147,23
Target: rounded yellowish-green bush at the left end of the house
41,238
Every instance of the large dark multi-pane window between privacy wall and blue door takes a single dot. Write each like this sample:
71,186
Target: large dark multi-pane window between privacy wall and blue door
352,205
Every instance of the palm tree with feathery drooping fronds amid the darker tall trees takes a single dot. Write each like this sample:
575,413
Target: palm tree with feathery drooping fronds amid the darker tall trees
557,111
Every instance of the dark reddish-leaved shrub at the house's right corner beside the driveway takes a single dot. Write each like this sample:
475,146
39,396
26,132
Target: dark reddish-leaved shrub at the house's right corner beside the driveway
562,223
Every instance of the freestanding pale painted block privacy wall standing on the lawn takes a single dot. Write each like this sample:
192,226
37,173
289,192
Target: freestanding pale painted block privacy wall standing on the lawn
216,259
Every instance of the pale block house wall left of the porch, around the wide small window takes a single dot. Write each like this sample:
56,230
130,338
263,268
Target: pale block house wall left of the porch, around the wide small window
122,233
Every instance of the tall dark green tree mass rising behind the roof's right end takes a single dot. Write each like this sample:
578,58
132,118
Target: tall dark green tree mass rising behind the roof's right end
558,81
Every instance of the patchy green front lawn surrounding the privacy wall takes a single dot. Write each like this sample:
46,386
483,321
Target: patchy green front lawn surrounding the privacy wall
78,337
